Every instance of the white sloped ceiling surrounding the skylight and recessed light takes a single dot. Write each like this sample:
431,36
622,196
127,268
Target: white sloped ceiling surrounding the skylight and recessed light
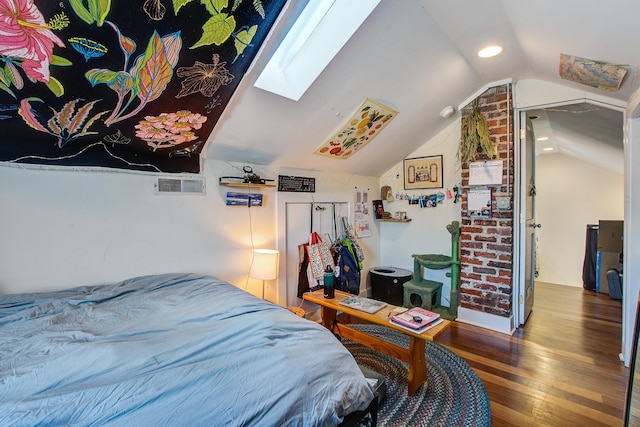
419,56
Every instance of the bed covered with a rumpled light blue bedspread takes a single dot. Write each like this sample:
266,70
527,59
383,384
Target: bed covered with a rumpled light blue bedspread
173,349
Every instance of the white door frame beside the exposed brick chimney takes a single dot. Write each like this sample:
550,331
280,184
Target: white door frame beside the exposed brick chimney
519,196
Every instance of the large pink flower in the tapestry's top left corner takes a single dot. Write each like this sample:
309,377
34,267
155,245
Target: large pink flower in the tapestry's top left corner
25,36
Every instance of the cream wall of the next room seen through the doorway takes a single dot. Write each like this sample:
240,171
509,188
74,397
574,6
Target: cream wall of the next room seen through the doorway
571,193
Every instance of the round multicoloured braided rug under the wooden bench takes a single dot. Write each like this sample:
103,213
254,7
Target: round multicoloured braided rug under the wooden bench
453,396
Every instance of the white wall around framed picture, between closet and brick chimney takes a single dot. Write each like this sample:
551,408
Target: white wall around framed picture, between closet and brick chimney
426,233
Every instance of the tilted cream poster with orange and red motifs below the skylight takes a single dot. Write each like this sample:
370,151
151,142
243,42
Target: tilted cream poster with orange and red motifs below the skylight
364,125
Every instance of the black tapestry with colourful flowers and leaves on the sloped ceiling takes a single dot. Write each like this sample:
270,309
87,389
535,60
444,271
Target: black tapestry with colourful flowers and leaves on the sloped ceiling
125,84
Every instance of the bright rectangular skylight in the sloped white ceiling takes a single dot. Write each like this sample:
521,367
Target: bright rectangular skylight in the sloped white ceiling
323,27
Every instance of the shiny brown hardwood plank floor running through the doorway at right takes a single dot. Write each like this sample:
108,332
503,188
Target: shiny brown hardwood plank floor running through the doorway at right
561,369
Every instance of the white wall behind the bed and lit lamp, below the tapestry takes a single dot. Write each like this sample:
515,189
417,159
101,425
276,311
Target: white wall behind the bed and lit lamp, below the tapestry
63,228
